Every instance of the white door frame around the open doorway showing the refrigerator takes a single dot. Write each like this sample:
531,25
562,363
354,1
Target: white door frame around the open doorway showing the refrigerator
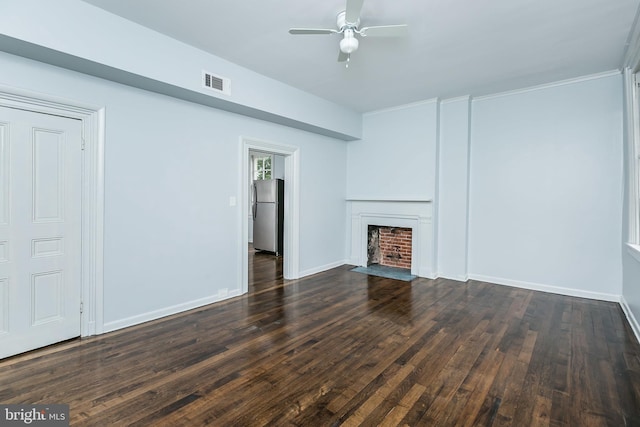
291,259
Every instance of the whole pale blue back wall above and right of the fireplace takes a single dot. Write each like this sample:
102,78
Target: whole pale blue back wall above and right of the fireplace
542,171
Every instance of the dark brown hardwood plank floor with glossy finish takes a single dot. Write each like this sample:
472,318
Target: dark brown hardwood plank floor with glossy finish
343,348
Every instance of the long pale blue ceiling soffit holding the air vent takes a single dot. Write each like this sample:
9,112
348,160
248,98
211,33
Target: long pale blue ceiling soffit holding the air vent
73,34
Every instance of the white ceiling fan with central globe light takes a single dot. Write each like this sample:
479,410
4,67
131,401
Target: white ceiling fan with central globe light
348,24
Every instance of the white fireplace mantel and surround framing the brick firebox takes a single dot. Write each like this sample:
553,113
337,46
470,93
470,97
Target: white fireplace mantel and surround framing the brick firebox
414,214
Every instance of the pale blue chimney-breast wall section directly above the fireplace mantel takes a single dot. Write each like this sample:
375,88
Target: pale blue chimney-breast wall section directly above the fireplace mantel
397,154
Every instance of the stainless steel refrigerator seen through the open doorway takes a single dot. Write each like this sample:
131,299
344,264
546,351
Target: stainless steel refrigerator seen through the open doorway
268,215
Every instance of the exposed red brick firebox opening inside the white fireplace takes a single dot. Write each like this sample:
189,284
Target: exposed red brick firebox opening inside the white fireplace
389,246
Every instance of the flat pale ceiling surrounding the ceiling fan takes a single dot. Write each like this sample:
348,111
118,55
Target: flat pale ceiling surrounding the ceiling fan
454,47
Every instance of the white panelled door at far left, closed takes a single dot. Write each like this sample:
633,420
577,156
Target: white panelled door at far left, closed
40,213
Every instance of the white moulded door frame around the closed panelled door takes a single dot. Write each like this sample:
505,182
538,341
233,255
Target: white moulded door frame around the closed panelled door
92,221
